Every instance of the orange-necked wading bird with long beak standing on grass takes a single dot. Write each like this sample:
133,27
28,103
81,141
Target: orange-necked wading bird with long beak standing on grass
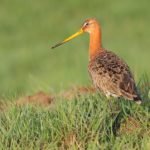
110,74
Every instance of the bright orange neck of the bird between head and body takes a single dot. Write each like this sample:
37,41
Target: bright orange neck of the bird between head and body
95,43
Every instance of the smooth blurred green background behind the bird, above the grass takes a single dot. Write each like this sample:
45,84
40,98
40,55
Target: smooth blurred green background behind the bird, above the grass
28,28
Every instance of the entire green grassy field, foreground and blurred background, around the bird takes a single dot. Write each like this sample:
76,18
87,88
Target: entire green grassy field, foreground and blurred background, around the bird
28,29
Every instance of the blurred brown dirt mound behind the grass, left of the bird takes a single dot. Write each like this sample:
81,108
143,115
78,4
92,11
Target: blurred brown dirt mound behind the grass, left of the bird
43,99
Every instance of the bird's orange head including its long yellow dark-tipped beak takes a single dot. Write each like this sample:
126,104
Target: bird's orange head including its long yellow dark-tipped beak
89,26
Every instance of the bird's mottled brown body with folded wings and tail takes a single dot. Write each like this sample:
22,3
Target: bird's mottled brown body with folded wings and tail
112,76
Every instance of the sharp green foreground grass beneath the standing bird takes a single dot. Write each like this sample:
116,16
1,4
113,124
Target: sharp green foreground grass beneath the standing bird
86,122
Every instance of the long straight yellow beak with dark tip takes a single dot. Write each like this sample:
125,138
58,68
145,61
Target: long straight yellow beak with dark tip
69,38
